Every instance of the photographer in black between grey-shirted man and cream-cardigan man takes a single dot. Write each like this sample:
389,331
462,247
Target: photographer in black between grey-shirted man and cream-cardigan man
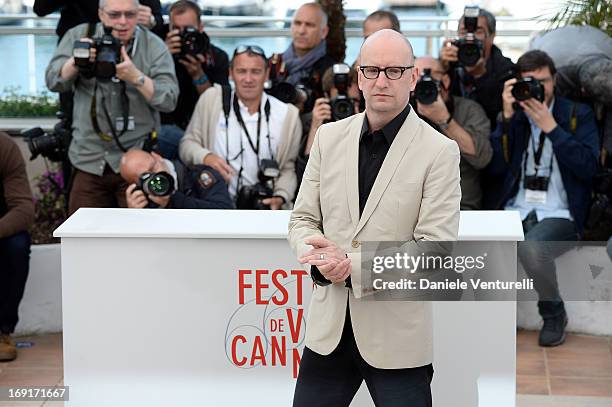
199,65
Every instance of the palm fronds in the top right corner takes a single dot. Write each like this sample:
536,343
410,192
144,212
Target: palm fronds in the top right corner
596,13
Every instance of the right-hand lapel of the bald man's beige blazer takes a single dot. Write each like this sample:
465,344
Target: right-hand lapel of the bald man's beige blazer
389,167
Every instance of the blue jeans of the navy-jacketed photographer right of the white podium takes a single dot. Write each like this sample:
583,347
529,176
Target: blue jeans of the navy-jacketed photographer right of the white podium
537,254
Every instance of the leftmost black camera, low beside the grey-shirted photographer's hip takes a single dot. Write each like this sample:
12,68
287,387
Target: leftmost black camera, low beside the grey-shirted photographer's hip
54,145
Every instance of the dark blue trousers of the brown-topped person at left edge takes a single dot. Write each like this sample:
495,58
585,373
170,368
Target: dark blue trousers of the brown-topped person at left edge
14,268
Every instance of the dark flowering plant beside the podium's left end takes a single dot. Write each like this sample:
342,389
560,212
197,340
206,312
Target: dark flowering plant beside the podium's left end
50,205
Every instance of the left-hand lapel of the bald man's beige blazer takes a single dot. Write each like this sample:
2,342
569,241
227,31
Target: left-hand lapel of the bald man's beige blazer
352,169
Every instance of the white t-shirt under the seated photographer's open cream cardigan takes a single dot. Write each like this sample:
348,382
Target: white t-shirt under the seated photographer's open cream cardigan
241,154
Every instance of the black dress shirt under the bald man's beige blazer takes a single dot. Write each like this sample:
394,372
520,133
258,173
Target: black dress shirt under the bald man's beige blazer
373,148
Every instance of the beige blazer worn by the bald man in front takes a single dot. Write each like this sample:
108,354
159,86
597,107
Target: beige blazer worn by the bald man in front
416,196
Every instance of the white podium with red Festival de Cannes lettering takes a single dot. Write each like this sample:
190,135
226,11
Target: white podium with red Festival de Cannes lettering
208,308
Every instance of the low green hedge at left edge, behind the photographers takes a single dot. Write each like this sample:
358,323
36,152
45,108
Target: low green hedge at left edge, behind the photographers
14,104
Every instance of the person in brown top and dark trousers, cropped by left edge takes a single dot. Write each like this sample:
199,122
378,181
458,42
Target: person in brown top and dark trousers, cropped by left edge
16,217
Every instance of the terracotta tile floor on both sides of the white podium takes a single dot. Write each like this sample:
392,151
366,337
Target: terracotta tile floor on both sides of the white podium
577,374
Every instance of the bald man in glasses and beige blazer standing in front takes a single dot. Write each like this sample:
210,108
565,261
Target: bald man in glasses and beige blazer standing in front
383,175
